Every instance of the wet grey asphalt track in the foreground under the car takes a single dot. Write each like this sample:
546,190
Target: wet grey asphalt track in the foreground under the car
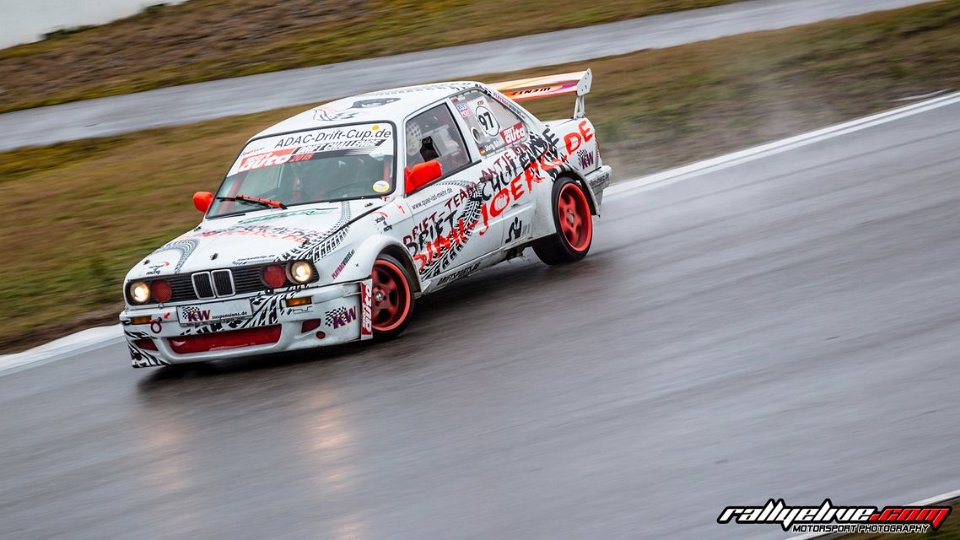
785,328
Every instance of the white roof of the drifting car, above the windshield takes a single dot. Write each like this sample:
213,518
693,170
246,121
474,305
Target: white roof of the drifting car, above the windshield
383,105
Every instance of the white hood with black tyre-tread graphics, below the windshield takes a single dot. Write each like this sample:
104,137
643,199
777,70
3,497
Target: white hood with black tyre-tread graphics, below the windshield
307,232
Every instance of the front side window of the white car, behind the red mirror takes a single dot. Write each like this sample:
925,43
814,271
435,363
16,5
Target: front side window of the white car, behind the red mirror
434,134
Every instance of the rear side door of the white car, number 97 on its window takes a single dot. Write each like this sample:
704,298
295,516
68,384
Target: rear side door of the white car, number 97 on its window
502,139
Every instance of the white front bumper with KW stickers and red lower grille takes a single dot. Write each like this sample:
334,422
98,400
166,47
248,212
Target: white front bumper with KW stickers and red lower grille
335,314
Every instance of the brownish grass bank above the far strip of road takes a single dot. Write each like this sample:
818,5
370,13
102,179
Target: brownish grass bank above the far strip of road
204,40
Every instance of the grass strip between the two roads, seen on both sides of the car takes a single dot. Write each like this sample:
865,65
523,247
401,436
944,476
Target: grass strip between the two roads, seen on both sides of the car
79,214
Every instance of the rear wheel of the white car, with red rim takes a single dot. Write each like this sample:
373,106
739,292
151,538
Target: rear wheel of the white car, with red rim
574,223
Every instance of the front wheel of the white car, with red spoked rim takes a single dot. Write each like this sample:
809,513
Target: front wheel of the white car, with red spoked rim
392,298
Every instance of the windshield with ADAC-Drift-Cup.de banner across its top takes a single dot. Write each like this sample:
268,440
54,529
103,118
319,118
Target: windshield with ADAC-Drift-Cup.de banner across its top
318,165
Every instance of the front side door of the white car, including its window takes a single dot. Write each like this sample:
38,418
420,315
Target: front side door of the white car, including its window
449,228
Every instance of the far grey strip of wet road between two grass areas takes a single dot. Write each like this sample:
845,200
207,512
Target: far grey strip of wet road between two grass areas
192,103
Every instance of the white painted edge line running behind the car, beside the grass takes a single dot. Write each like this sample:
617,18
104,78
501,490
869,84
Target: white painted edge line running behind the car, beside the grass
96,337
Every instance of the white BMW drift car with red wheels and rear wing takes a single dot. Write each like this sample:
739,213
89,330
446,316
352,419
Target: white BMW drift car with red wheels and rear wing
330,224
